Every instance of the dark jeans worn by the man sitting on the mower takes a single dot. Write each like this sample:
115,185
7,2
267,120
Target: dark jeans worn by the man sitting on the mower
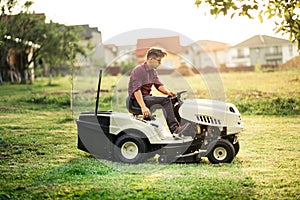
164,103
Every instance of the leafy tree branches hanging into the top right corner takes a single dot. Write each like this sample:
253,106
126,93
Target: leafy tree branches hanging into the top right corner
285,12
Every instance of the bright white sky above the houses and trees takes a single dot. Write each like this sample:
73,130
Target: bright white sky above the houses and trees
122,22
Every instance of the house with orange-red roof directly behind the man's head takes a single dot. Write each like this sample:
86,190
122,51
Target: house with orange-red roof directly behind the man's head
170,44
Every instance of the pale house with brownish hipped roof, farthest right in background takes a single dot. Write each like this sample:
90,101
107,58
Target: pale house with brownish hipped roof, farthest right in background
261,50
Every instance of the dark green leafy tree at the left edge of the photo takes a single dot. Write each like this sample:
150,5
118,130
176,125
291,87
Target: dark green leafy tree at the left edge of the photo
26,32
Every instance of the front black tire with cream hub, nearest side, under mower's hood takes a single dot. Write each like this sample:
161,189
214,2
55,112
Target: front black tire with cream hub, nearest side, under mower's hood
222,152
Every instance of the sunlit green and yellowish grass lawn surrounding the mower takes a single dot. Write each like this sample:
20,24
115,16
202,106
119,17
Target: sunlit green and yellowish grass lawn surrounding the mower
39,158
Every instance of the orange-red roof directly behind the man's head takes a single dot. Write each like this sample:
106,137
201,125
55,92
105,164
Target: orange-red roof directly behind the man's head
170,44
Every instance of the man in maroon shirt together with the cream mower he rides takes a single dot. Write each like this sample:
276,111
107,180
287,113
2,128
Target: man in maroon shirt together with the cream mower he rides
196,127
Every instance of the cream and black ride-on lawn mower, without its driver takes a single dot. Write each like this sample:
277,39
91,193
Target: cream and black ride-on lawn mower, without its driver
130,138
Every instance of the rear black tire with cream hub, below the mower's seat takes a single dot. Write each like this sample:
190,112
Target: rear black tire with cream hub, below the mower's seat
130,149
